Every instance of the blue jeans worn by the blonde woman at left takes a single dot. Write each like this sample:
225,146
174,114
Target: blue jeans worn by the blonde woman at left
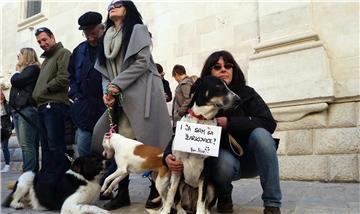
28,138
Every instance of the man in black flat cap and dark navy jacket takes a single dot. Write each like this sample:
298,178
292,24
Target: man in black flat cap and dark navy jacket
85,82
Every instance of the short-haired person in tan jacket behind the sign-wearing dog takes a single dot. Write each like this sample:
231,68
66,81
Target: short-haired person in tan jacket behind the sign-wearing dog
182,95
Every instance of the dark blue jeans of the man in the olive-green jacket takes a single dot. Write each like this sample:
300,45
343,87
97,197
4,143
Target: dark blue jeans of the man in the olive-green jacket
53,146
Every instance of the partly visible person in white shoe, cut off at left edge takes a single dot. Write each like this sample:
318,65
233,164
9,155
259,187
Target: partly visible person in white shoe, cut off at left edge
6,129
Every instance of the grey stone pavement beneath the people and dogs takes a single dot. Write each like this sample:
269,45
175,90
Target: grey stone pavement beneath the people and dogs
298,197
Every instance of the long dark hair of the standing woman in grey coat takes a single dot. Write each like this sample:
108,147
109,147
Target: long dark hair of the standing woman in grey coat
132,17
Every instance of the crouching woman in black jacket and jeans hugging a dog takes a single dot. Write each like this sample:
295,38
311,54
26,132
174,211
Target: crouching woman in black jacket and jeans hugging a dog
251,124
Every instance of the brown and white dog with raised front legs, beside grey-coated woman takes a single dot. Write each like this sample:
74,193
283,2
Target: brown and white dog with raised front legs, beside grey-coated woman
132,156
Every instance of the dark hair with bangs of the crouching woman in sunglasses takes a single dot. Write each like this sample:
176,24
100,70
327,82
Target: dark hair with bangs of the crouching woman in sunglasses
238,80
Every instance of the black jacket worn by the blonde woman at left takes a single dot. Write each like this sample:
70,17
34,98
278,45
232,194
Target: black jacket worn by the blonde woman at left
22,86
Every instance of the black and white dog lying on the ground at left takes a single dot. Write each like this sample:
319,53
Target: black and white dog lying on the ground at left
72,191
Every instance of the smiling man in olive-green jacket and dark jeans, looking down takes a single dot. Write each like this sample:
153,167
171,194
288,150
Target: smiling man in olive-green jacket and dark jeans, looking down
51,97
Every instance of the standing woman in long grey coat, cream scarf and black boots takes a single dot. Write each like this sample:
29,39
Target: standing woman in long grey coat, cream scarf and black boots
132,88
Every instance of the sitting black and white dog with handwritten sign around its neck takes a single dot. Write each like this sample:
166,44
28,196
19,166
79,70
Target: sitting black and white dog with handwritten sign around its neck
210,94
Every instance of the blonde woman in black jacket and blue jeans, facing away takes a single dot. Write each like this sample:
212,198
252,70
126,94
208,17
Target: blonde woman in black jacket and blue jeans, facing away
25,114
